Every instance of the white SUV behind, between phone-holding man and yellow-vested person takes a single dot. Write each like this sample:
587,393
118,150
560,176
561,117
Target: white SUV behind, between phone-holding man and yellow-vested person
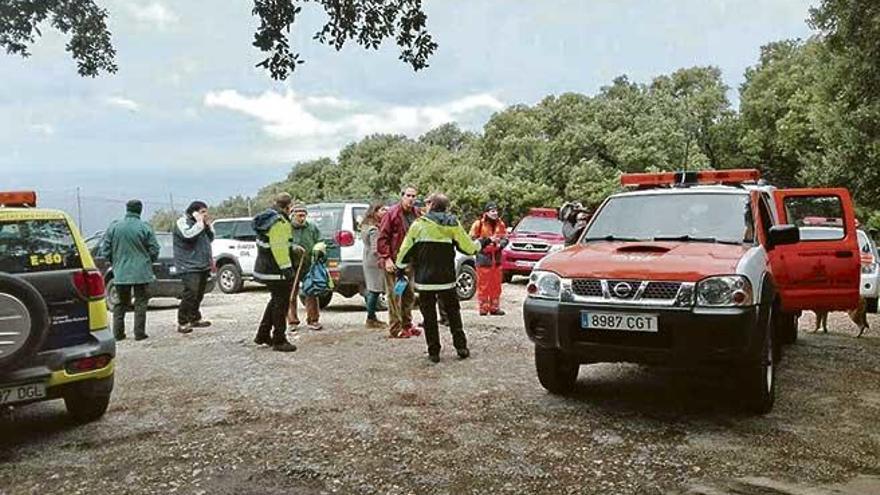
235,252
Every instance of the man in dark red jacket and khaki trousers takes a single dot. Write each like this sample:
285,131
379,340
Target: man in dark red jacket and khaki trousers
392,231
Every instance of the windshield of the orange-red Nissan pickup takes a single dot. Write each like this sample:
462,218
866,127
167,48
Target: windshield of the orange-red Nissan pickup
708,217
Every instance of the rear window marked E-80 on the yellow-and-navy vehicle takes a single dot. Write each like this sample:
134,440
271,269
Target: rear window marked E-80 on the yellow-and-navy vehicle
28,246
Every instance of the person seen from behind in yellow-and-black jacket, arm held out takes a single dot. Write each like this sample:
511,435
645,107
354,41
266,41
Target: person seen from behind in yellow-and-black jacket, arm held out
430,246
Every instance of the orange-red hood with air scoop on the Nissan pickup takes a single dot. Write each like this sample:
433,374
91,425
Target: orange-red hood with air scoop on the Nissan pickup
684,261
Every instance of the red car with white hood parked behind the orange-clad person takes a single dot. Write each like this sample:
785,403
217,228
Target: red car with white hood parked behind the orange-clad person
538,234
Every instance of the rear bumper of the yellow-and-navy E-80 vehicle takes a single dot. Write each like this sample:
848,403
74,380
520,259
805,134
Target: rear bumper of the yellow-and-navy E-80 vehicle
49,367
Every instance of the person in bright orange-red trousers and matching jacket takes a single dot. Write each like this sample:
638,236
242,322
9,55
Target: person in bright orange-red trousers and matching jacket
489,226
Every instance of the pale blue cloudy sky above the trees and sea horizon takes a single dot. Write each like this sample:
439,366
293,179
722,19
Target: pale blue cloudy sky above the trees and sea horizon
188,115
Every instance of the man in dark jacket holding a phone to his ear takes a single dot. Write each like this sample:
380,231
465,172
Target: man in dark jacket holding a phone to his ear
193,234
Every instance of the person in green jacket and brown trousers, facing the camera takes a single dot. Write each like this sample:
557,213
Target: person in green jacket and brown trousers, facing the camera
306,243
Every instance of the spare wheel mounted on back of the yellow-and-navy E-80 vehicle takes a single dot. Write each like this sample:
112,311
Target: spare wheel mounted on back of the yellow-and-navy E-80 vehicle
24,320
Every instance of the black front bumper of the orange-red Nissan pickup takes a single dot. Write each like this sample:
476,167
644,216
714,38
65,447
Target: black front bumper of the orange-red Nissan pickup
686,336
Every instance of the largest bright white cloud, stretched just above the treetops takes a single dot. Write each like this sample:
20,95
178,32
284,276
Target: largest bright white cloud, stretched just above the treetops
290,116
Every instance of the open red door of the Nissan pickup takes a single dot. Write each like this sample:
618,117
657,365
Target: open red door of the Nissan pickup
822,270
